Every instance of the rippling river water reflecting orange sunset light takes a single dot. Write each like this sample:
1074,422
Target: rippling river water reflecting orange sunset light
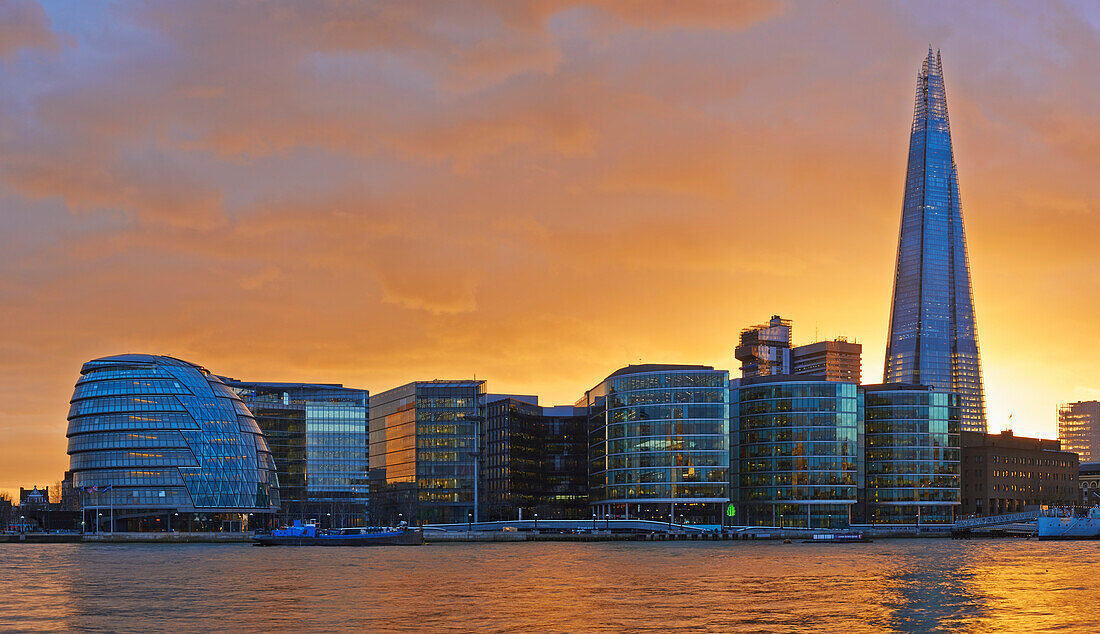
912,586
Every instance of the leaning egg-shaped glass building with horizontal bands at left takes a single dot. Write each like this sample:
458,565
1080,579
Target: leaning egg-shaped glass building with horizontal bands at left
159,444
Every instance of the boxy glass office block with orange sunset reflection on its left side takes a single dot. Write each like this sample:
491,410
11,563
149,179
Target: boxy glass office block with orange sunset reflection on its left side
424,452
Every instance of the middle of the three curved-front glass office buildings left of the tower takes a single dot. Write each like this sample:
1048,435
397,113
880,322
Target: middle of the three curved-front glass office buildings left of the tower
798,457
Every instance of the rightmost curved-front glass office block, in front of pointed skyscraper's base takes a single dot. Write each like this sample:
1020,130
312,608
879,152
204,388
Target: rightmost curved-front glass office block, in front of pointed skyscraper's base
912,455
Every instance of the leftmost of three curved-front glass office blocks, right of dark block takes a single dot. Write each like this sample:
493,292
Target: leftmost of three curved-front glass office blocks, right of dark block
659,444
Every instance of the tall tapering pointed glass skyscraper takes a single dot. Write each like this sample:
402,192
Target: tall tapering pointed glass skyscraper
933,340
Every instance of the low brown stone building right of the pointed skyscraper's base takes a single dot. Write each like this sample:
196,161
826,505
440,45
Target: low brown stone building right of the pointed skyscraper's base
1008,474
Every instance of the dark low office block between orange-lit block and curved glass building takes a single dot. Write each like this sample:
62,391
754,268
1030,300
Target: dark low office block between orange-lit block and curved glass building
535,462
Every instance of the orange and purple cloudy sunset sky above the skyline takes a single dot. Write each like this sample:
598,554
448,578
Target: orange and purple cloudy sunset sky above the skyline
535,193
